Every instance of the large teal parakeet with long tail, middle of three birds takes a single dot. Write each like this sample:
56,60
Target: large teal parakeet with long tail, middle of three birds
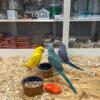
56,63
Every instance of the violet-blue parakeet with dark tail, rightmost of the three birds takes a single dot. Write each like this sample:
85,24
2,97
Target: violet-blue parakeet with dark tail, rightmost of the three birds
62,52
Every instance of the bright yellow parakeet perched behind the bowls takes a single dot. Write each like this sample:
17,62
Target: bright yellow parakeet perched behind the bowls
35,59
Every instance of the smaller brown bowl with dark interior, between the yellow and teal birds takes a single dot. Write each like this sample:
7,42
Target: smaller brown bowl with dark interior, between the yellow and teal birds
45,70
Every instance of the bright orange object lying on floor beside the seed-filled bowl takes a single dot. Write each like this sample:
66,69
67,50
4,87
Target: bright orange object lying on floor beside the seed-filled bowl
51,87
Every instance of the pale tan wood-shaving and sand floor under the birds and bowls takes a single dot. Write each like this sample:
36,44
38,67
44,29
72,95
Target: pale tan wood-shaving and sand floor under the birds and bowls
87,83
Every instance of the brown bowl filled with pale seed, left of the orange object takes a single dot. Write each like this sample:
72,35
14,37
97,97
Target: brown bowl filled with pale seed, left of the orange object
32,85
